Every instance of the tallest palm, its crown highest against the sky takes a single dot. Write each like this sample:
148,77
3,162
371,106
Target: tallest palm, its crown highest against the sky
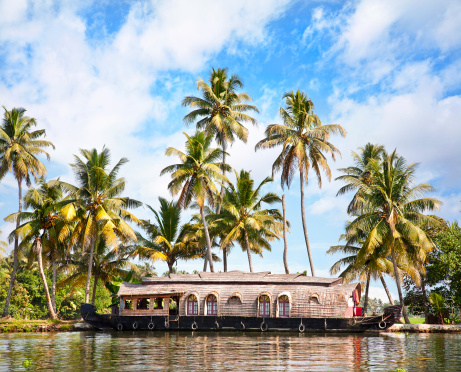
220,112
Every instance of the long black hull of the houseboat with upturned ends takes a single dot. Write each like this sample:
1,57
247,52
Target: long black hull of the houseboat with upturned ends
235,323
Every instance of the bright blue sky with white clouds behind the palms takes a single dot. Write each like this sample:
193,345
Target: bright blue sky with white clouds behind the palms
113,73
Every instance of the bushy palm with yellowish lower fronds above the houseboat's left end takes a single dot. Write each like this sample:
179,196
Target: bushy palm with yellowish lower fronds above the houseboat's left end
99,210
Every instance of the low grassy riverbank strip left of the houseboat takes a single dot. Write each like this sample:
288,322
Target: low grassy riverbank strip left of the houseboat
40,325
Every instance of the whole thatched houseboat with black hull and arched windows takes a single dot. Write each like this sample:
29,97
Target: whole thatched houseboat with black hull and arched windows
242,301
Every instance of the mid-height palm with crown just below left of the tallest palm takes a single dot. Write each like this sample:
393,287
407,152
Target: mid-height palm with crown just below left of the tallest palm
194,177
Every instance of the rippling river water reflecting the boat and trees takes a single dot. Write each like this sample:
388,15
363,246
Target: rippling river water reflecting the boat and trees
207,351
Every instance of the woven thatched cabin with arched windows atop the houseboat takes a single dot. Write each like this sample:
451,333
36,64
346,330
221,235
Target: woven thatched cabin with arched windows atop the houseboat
238,293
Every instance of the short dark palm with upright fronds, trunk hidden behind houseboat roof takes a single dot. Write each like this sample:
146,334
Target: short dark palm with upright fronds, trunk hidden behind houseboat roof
167,240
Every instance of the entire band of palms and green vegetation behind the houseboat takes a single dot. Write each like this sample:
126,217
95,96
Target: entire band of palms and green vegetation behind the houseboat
76,243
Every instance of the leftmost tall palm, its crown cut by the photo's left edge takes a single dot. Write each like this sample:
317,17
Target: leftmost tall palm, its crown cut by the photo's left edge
19,147
